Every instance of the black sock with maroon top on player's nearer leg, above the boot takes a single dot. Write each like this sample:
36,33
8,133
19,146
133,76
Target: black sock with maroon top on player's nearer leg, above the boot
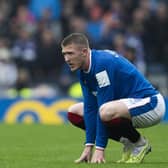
122,127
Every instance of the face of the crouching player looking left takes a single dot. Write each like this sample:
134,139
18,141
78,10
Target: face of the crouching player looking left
74,56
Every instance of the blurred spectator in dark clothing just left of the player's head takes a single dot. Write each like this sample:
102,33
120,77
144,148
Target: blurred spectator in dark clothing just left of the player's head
47,50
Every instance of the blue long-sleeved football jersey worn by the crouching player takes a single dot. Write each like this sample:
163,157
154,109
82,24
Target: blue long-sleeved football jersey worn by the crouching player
110,77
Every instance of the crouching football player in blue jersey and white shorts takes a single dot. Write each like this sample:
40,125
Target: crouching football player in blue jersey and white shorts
117,100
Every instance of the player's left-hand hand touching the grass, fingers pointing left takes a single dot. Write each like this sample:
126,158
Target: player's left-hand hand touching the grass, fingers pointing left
86,155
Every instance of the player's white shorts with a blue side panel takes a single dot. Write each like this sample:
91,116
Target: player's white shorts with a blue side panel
146,112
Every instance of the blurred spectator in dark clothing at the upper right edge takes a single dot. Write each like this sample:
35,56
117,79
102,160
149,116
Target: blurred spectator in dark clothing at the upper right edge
157,34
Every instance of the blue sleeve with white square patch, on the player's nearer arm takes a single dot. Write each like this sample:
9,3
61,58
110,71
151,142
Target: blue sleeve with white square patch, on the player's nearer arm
105,93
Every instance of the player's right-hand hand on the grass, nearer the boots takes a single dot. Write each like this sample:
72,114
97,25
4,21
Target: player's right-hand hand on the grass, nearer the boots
98,156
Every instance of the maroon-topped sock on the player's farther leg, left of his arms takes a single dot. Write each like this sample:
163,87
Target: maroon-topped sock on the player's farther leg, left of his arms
76,120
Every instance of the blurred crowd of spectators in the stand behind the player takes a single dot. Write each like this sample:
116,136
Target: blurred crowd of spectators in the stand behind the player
31,63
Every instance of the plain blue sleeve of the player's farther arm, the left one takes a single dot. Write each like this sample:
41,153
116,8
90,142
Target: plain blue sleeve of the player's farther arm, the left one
90,113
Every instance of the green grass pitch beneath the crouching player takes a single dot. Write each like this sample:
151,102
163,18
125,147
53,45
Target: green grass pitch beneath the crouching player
39,146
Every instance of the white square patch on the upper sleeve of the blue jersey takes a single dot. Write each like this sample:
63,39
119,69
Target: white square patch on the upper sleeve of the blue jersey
102,79
